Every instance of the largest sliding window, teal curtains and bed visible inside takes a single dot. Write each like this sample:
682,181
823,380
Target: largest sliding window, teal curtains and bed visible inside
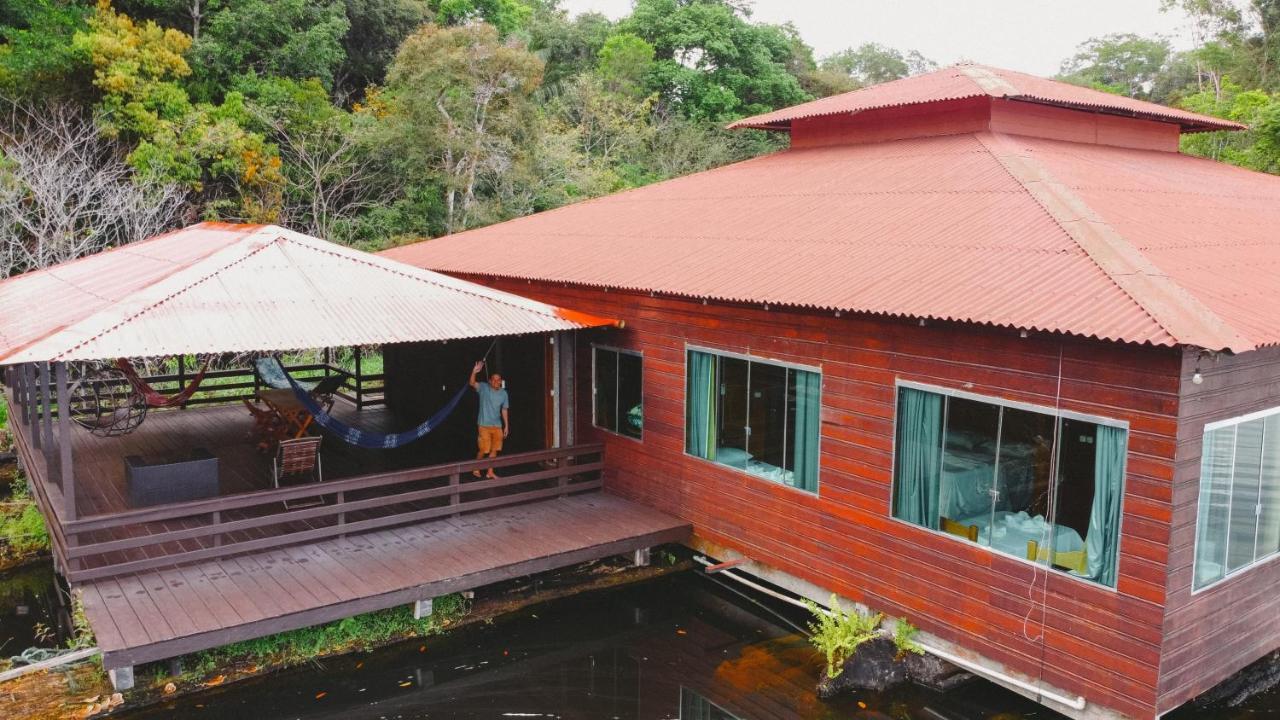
1023,482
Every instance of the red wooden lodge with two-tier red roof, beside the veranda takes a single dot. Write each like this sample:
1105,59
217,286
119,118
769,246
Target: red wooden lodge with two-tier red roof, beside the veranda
981,350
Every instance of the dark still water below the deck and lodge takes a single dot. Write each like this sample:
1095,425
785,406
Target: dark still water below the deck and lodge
682,648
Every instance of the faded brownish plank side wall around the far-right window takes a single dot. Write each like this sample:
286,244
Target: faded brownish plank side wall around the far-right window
1212,635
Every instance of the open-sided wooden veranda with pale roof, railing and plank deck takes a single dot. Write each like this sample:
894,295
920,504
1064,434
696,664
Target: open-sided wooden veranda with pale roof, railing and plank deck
225,297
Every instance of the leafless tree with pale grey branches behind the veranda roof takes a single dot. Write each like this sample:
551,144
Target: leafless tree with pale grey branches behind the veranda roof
66,193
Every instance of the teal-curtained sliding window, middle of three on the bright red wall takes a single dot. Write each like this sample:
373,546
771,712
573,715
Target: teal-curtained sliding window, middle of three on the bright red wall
758,417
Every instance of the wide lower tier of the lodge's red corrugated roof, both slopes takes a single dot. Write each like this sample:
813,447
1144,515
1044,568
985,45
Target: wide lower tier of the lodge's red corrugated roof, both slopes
1124,245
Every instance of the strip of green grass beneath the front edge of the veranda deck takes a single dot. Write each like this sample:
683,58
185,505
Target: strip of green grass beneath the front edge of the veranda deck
358,634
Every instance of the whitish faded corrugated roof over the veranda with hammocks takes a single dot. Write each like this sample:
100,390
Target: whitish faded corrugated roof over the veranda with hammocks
218,288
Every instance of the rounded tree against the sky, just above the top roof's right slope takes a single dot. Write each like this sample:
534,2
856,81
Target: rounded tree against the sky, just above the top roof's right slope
1121,63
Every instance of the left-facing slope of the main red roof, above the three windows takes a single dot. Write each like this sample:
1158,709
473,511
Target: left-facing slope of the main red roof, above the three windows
931,229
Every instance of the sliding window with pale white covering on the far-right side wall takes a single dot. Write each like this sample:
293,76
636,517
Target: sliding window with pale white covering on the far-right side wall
1238,517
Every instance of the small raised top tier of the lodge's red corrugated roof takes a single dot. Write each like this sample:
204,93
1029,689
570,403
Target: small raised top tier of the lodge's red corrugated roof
976,81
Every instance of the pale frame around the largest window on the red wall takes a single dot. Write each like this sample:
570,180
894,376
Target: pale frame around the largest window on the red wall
1059,414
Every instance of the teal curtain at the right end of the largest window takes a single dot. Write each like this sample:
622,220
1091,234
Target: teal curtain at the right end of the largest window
1103,543
